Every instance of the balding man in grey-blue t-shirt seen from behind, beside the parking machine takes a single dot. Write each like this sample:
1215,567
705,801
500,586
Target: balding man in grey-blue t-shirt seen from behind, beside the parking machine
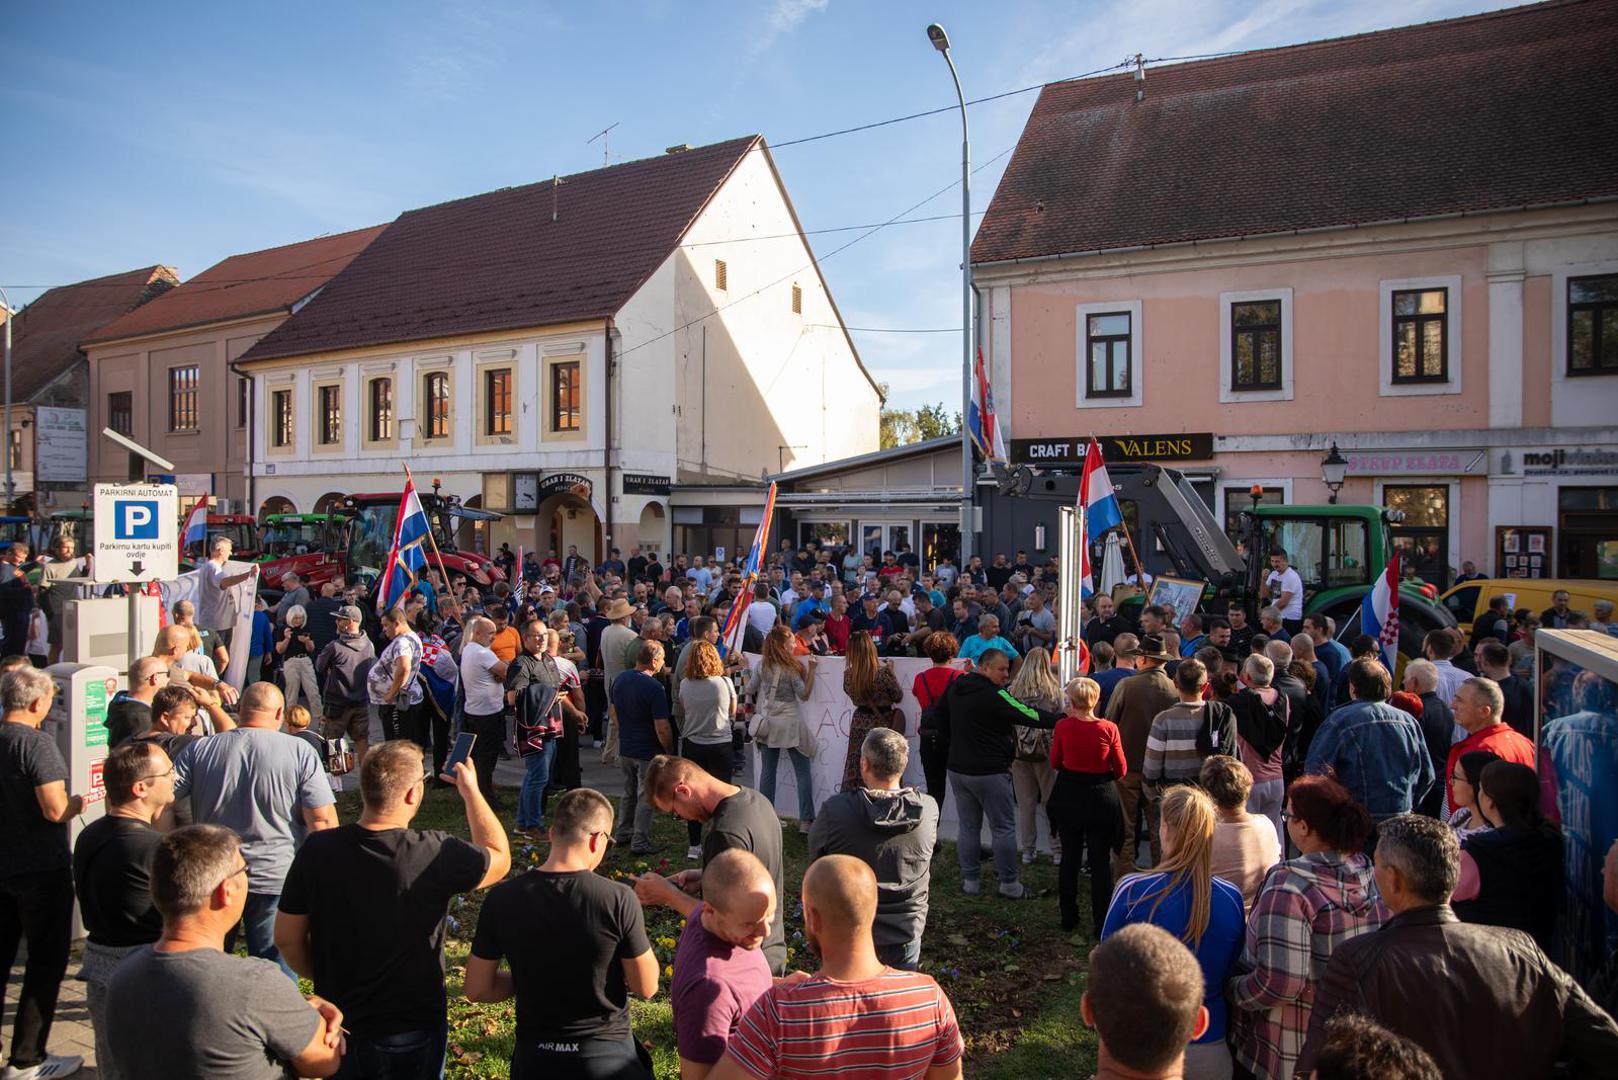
261,784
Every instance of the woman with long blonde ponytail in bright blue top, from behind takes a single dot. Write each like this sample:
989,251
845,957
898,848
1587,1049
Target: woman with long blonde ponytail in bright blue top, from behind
1185,898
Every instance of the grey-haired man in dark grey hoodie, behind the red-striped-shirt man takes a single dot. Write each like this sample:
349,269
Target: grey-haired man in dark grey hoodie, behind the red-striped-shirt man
894,830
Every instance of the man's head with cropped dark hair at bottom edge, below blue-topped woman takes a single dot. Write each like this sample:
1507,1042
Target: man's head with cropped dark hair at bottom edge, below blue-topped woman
1145,1000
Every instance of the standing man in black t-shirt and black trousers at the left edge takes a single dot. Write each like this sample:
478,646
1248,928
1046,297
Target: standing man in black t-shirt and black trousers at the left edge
36,877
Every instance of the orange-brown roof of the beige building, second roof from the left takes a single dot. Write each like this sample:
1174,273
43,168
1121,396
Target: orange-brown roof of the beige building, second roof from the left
245,286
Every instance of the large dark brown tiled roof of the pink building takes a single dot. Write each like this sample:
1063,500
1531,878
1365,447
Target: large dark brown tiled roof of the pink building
1488,113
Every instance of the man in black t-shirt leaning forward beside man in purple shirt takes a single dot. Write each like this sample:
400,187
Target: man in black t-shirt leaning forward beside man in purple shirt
739,817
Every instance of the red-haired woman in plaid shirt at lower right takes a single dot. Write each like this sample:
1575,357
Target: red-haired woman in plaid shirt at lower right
1307,908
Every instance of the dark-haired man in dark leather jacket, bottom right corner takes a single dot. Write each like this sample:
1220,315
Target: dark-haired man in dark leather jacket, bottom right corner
1489,979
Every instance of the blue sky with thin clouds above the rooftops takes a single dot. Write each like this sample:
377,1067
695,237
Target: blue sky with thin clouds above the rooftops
184,134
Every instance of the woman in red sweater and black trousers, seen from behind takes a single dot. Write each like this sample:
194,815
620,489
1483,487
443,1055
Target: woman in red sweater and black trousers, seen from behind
1088,755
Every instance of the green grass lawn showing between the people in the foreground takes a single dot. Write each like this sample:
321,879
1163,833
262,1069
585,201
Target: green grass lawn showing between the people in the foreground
1010,972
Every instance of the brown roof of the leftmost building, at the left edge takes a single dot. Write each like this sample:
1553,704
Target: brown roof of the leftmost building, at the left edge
48,333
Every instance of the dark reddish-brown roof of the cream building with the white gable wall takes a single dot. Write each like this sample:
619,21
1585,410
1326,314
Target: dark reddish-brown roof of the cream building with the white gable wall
498,261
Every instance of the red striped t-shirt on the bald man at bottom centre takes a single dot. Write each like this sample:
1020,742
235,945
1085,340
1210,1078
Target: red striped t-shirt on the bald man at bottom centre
896,1027
